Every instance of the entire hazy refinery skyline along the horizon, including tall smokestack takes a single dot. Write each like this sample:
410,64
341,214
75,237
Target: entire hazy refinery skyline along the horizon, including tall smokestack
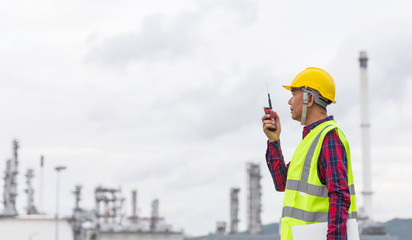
108,221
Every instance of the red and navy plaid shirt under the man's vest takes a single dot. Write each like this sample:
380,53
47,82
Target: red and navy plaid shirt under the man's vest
332,171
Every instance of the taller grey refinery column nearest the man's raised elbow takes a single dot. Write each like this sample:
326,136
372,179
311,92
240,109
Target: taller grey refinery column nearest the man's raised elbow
254,195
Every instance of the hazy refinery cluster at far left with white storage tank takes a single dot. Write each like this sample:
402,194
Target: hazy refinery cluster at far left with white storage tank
106,221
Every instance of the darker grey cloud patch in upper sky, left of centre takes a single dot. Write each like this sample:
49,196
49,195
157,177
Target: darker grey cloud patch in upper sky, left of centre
156,39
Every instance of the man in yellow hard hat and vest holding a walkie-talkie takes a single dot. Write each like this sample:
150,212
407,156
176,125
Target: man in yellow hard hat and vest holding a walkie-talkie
318,181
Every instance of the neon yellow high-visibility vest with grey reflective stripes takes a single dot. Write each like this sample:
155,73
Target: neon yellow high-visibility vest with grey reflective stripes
306,198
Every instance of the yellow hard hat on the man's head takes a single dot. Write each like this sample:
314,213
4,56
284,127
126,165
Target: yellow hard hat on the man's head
317,79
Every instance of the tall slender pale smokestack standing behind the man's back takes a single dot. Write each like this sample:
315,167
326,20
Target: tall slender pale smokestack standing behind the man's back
365,126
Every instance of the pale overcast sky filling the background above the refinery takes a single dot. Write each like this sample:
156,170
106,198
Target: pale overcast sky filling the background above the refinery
166,97
